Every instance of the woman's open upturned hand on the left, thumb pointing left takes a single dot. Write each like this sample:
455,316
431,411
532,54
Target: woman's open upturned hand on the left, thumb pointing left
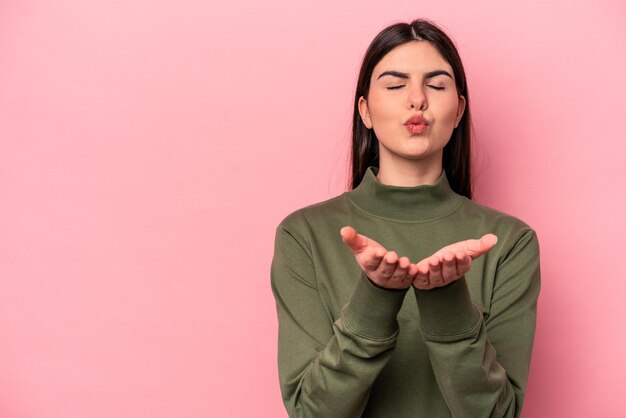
382,267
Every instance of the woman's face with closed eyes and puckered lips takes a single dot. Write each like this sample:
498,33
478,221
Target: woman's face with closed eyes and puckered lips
408,91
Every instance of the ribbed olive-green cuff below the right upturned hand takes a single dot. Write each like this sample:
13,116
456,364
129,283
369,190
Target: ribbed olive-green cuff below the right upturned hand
447,311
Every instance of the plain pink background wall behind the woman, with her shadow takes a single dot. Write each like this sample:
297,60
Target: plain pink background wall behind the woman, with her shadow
148,151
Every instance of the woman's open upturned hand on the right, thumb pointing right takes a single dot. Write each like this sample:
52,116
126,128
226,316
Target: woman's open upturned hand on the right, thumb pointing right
451,262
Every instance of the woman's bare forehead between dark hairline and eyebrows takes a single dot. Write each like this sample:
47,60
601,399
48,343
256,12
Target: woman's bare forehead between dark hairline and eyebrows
413,57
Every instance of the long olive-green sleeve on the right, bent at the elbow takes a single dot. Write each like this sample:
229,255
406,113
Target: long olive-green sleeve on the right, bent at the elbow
481,364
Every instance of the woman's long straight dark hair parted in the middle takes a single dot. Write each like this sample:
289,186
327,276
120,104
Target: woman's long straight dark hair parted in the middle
456,153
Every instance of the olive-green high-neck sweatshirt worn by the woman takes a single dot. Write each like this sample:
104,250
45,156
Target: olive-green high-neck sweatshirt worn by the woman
347,348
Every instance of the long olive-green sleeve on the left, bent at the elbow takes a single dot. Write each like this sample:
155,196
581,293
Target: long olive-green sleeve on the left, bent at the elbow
326,368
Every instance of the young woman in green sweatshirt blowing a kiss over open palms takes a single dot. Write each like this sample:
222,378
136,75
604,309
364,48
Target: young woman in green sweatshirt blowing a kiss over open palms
429,309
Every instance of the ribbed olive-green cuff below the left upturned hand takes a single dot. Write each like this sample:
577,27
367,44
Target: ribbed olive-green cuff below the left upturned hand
372,311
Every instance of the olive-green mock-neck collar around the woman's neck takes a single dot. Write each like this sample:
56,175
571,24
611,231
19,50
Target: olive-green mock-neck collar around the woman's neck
416,204
